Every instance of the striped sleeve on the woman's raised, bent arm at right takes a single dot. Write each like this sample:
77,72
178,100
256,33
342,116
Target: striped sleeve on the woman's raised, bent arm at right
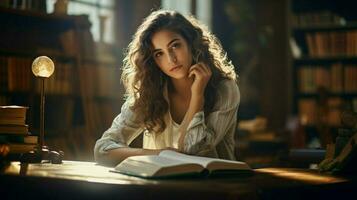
202,135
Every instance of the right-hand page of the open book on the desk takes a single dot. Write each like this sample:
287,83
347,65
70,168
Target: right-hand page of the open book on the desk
204,161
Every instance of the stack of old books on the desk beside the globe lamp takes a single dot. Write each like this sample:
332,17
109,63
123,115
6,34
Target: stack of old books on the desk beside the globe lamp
14,130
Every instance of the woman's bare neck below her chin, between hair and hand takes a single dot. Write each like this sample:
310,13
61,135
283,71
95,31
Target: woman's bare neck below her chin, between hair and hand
181,87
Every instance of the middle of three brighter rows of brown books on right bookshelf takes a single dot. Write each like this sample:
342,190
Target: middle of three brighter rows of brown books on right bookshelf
337,78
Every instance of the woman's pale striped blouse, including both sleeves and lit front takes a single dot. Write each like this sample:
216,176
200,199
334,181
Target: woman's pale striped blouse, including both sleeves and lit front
212,136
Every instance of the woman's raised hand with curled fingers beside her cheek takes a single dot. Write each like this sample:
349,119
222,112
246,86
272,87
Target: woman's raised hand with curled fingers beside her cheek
201,74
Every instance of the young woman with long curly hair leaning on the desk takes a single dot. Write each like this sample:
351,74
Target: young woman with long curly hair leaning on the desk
181,93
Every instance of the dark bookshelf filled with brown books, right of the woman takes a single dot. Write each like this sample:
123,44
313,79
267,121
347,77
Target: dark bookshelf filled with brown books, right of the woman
323,63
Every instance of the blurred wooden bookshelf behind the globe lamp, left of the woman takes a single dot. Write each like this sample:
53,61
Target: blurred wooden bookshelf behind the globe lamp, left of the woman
82,96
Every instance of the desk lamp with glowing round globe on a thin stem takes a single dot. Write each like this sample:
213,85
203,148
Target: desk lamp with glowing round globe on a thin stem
42,67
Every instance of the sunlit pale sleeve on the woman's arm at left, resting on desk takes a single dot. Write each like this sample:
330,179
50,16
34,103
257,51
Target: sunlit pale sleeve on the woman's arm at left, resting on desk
122,132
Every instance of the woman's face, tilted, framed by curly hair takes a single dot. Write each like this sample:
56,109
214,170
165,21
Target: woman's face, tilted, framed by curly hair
172,54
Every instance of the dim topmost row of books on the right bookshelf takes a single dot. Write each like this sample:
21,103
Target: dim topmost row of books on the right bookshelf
319,18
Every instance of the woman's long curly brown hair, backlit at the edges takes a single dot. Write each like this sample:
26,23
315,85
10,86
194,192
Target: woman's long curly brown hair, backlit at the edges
145,82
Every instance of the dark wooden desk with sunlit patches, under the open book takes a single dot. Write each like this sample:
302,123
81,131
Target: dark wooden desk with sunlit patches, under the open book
86,180
